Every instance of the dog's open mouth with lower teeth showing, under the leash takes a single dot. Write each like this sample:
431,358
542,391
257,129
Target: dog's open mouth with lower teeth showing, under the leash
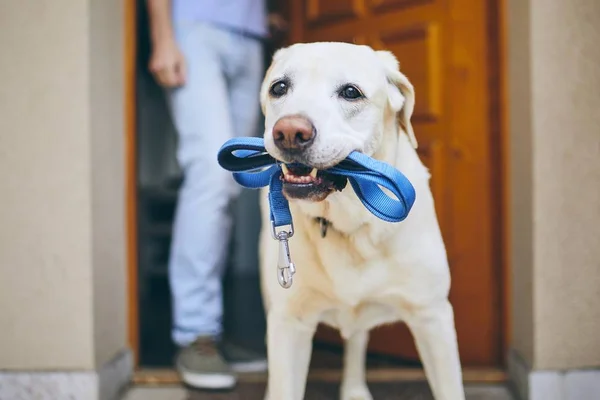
307,183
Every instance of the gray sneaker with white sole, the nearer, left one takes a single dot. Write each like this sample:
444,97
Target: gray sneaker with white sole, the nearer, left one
201,366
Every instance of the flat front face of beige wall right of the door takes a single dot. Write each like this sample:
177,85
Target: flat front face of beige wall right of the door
565,39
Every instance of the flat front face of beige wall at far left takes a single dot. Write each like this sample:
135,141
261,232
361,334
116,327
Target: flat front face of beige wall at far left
45,232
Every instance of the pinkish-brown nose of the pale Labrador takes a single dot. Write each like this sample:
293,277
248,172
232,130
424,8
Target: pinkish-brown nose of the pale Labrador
294,133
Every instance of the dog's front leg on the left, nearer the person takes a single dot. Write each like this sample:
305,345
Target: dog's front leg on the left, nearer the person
289,350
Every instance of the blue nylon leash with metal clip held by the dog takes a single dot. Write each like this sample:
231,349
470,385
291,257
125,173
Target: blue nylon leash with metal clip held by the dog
254,168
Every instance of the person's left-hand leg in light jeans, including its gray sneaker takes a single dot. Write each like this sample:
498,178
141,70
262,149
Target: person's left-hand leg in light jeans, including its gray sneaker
202,225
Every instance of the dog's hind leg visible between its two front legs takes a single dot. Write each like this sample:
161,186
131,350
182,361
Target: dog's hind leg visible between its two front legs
354,385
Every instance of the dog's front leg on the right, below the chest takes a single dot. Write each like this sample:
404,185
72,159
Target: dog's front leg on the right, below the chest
435,337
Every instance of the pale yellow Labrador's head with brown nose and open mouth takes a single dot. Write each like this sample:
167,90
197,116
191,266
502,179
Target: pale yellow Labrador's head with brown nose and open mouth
324,100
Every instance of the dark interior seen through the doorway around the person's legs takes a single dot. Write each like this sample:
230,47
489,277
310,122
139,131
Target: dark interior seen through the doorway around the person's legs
158,181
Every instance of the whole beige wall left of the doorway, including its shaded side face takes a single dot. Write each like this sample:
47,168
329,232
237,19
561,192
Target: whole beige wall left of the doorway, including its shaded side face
62,274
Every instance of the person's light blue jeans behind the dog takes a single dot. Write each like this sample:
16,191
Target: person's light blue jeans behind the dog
220,100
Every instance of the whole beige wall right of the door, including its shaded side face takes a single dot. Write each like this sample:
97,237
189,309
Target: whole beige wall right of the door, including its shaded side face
555,181
